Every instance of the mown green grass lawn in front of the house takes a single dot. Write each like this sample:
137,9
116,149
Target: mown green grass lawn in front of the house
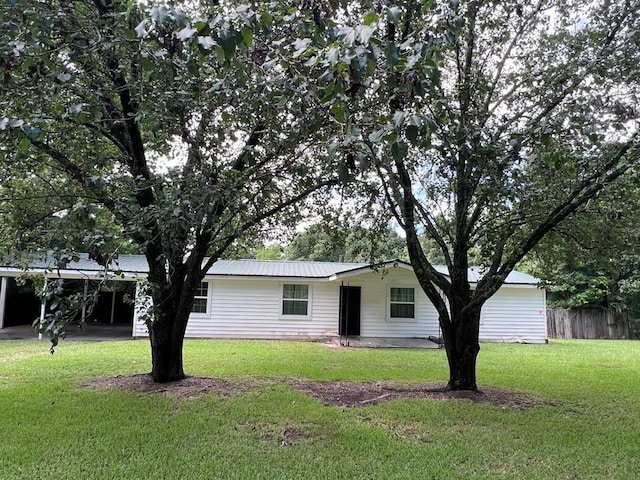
52,427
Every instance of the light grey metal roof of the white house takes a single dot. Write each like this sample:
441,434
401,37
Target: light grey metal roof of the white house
136,265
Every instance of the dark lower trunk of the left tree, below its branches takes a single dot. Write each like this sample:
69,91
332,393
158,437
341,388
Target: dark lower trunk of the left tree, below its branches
167,338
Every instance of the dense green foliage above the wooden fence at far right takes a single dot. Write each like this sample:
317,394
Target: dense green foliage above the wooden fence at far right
591,261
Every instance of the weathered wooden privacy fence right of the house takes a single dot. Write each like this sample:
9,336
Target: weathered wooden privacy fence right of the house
562,323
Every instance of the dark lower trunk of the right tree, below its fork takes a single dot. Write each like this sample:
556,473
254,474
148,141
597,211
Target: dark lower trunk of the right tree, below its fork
461,344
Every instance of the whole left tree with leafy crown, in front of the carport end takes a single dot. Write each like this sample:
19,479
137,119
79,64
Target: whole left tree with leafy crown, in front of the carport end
188,126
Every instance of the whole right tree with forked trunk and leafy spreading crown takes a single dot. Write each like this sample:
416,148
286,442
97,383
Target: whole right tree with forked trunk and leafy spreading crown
489,123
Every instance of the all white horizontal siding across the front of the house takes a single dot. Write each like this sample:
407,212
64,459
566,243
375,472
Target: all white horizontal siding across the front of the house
251,308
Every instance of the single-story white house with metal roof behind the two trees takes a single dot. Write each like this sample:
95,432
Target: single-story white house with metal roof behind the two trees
276,299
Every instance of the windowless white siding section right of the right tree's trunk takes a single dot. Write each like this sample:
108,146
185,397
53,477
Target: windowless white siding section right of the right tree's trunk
514,314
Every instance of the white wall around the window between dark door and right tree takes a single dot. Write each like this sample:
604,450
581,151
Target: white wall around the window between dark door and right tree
374,315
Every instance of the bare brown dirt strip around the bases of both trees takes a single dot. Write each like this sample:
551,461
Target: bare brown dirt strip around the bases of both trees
343,394
